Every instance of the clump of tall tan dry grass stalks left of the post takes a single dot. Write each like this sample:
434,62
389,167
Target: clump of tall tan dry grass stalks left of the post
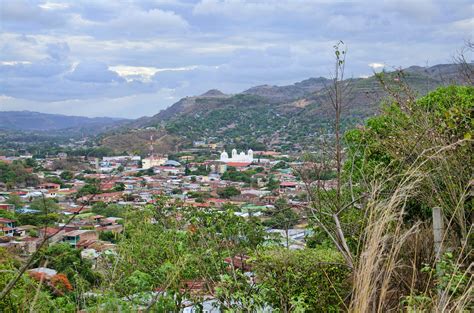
383,239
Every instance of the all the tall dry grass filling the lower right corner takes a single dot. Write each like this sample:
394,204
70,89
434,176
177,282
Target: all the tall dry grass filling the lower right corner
396,269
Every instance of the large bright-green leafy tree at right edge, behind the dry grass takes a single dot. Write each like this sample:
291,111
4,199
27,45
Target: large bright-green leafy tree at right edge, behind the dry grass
403,134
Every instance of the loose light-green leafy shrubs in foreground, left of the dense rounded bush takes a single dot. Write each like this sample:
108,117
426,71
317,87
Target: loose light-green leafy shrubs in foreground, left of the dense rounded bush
173,251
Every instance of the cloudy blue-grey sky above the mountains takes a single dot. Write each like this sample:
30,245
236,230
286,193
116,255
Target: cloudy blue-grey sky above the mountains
129,59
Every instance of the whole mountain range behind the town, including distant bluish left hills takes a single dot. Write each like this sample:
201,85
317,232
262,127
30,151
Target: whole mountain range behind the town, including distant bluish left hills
287,117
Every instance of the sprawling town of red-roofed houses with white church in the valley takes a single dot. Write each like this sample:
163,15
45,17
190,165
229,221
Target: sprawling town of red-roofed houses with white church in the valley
81,201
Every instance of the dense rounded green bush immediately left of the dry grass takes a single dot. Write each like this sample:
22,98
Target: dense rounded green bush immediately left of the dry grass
316,278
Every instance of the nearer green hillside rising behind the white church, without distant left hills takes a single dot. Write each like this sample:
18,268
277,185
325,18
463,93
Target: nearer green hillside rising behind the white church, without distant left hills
289,117
